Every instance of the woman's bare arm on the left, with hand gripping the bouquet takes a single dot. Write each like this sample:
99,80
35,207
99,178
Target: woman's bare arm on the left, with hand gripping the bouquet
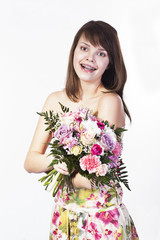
36,160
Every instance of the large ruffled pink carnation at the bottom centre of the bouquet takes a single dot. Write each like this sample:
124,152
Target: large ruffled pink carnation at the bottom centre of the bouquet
90,163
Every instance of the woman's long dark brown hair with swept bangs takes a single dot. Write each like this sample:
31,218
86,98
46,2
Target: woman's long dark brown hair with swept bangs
115,76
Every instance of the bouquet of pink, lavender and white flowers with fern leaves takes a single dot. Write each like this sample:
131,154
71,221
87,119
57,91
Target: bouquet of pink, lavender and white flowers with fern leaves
87,145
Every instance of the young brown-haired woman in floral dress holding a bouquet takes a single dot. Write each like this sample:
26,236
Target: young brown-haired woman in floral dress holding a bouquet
95,79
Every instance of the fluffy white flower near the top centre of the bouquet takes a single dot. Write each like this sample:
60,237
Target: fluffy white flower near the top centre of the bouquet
91,127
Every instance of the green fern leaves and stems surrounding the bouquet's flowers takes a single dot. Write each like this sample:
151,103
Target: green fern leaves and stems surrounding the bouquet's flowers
52,120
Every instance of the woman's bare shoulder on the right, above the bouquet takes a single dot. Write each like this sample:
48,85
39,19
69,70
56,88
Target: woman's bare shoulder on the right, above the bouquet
110,107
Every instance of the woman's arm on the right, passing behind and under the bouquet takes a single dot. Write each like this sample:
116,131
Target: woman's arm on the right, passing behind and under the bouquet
110,107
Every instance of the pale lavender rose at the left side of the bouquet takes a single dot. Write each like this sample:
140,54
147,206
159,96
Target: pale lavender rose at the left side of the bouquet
62,132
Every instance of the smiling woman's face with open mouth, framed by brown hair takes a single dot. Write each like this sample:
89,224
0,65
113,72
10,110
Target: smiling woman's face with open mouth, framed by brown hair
89,62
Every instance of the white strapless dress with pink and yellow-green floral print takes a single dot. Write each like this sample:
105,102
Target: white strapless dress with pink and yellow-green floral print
84,214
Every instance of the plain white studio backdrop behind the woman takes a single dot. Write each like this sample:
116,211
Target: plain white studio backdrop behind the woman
35,40
